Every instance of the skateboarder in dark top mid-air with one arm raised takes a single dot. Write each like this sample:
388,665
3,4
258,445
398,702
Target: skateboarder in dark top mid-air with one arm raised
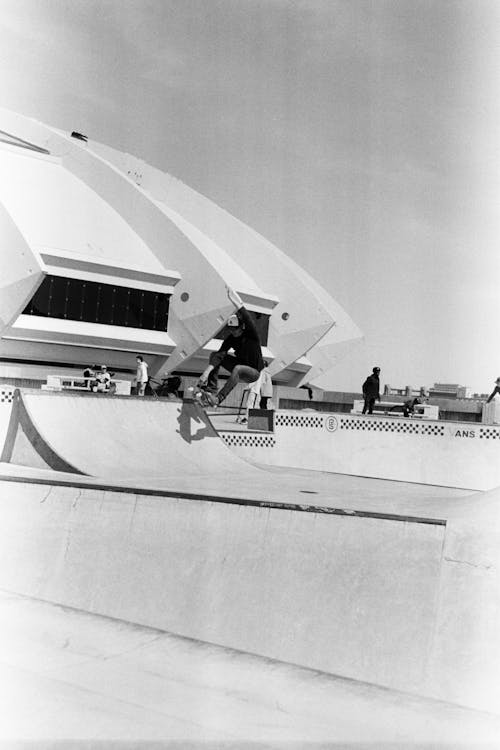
244,365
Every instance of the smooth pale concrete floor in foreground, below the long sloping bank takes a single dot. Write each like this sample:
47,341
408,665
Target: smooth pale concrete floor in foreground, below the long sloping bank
71,679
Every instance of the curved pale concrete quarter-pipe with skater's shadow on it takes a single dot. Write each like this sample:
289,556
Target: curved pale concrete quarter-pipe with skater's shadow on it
116,438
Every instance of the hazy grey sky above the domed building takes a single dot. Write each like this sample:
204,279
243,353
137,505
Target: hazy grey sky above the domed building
360,136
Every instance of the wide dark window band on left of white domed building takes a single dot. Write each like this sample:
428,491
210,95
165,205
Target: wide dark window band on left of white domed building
89,301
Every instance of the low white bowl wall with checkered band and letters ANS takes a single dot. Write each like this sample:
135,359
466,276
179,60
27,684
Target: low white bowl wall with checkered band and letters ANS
451,454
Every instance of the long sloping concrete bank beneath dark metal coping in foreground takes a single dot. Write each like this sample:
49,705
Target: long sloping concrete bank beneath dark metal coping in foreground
393,602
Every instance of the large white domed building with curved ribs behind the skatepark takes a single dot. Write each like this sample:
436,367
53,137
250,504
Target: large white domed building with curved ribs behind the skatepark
103,257
